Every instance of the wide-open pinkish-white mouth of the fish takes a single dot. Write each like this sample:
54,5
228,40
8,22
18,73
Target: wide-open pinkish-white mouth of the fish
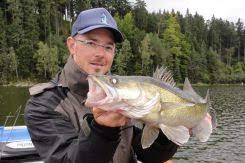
99,92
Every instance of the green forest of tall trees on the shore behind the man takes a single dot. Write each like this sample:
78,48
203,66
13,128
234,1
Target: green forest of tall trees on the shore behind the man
33,41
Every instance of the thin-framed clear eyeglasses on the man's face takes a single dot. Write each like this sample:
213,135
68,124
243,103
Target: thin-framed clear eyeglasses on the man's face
92,44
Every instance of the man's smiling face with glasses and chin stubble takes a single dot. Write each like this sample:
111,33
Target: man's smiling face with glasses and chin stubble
92,59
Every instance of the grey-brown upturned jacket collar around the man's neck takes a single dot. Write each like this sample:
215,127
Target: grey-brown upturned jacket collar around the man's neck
74,78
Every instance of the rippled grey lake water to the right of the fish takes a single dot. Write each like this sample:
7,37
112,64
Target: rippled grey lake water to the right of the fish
227,143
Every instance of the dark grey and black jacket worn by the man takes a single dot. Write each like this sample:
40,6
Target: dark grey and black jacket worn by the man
63,129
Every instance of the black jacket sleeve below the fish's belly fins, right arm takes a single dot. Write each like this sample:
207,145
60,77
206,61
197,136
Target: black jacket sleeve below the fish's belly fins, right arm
161,150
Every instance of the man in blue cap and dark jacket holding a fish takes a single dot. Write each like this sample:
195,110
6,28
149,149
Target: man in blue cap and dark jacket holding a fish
62,128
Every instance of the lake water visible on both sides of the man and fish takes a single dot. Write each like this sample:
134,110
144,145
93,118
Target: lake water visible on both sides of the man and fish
227,143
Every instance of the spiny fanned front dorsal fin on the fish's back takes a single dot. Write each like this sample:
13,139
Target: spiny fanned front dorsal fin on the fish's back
165,75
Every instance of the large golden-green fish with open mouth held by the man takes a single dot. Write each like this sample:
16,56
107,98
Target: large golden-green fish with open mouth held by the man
157,103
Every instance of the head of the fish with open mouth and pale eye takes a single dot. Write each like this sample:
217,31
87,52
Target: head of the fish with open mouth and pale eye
112,91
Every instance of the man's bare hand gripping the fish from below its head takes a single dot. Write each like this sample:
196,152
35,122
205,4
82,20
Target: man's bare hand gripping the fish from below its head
109,119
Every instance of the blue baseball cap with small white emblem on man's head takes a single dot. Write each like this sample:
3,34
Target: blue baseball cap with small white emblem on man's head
96,18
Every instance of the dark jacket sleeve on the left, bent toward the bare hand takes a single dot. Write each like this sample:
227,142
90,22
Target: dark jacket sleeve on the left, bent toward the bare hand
56,139
